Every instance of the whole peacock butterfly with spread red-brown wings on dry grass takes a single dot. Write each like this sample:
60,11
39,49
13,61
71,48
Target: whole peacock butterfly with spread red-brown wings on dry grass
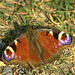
36,47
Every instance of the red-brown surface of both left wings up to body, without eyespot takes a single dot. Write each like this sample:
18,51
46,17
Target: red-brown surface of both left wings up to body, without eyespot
27,50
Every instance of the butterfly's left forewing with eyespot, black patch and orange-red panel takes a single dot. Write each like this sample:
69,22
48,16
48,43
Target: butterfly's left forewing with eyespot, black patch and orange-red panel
17,51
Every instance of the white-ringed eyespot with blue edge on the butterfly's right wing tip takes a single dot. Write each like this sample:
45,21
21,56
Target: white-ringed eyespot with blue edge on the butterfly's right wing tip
64,38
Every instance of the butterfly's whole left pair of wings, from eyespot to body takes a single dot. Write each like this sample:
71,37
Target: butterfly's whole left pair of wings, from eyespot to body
22,50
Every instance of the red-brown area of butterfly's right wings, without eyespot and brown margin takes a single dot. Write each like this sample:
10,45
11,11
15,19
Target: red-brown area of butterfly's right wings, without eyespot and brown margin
49,45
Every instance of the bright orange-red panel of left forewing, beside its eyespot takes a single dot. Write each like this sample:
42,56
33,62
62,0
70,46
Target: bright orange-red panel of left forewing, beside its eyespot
22,49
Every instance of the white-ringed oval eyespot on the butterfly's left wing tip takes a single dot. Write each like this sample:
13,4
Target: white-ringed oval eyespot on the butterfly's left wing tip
8,54
